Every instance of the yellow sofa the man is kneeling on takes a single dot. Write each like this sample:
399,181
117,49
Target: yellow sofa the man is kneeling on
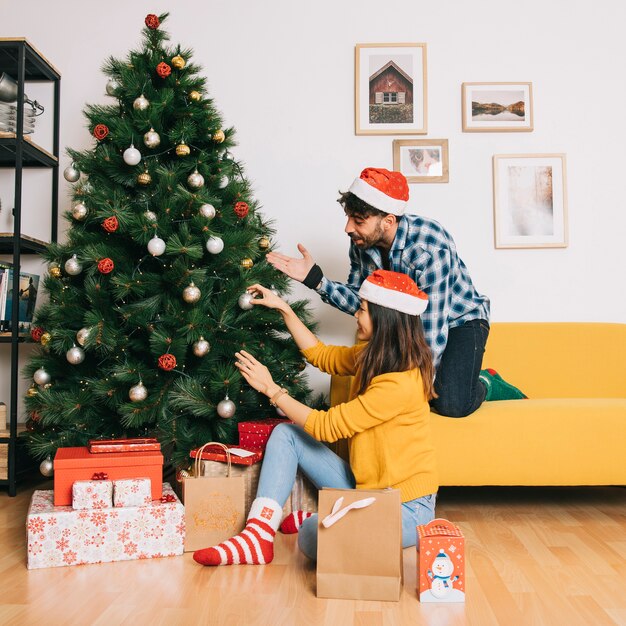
571,430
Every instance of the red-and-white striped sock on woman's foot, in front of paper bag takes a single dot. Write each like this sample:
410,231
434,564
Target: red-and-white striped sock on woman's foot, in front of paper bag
254,545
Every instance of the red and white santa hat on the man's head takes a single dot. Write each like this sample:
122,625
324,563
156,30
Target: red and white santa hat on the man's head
384,190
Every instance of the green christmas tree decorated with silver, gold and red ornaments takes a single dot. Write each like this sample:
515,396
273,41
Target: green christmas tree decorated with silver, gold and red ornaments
147,296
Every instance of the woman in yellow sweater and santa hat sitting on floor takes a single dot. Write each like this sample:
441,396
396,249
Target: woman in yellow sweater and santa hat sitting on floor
386,422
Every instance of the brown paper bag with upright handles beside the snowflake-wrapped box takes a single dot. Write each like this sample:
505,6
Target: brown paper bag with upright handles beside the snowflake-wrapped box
214,506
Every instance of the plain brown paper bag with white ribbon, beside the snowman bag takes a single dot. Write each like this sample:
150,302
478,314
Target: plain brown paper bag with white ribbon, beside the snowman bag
359,544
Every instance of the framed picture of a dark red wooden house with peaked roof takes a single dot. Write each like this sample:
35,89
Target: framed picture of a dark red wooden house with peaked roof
390,89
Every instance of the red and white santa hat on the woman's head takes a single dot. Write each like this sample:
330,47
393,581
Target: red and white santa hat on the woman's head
394,291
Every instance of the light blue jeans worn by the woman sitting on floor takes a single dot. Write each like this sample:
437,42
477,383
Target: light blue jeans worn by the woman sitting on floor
290,448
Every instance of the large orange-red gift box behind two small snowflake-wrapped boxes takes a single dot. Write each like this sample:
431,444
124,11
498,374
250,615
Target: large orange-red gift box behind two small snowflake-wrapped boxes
72,464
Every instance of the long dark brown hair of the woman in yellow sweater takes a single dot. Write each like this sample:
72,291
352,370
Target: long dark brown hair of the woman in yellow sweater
397,345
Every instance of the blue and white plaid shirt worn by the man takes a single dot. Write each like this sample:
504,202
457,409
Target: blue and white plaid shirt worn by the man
425,251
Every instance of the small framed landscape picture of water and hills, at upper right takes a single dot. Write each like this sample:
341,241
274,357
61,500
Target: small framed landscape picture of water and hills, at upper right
497,107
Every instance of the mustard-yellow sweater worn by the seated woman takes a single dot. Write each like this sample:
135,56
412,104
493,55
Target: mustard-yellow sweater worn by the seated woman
387,427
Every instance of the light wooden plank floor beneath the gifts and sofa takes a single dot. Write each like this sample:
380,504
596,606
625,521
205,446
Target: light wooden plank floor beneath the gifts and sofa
535,556
